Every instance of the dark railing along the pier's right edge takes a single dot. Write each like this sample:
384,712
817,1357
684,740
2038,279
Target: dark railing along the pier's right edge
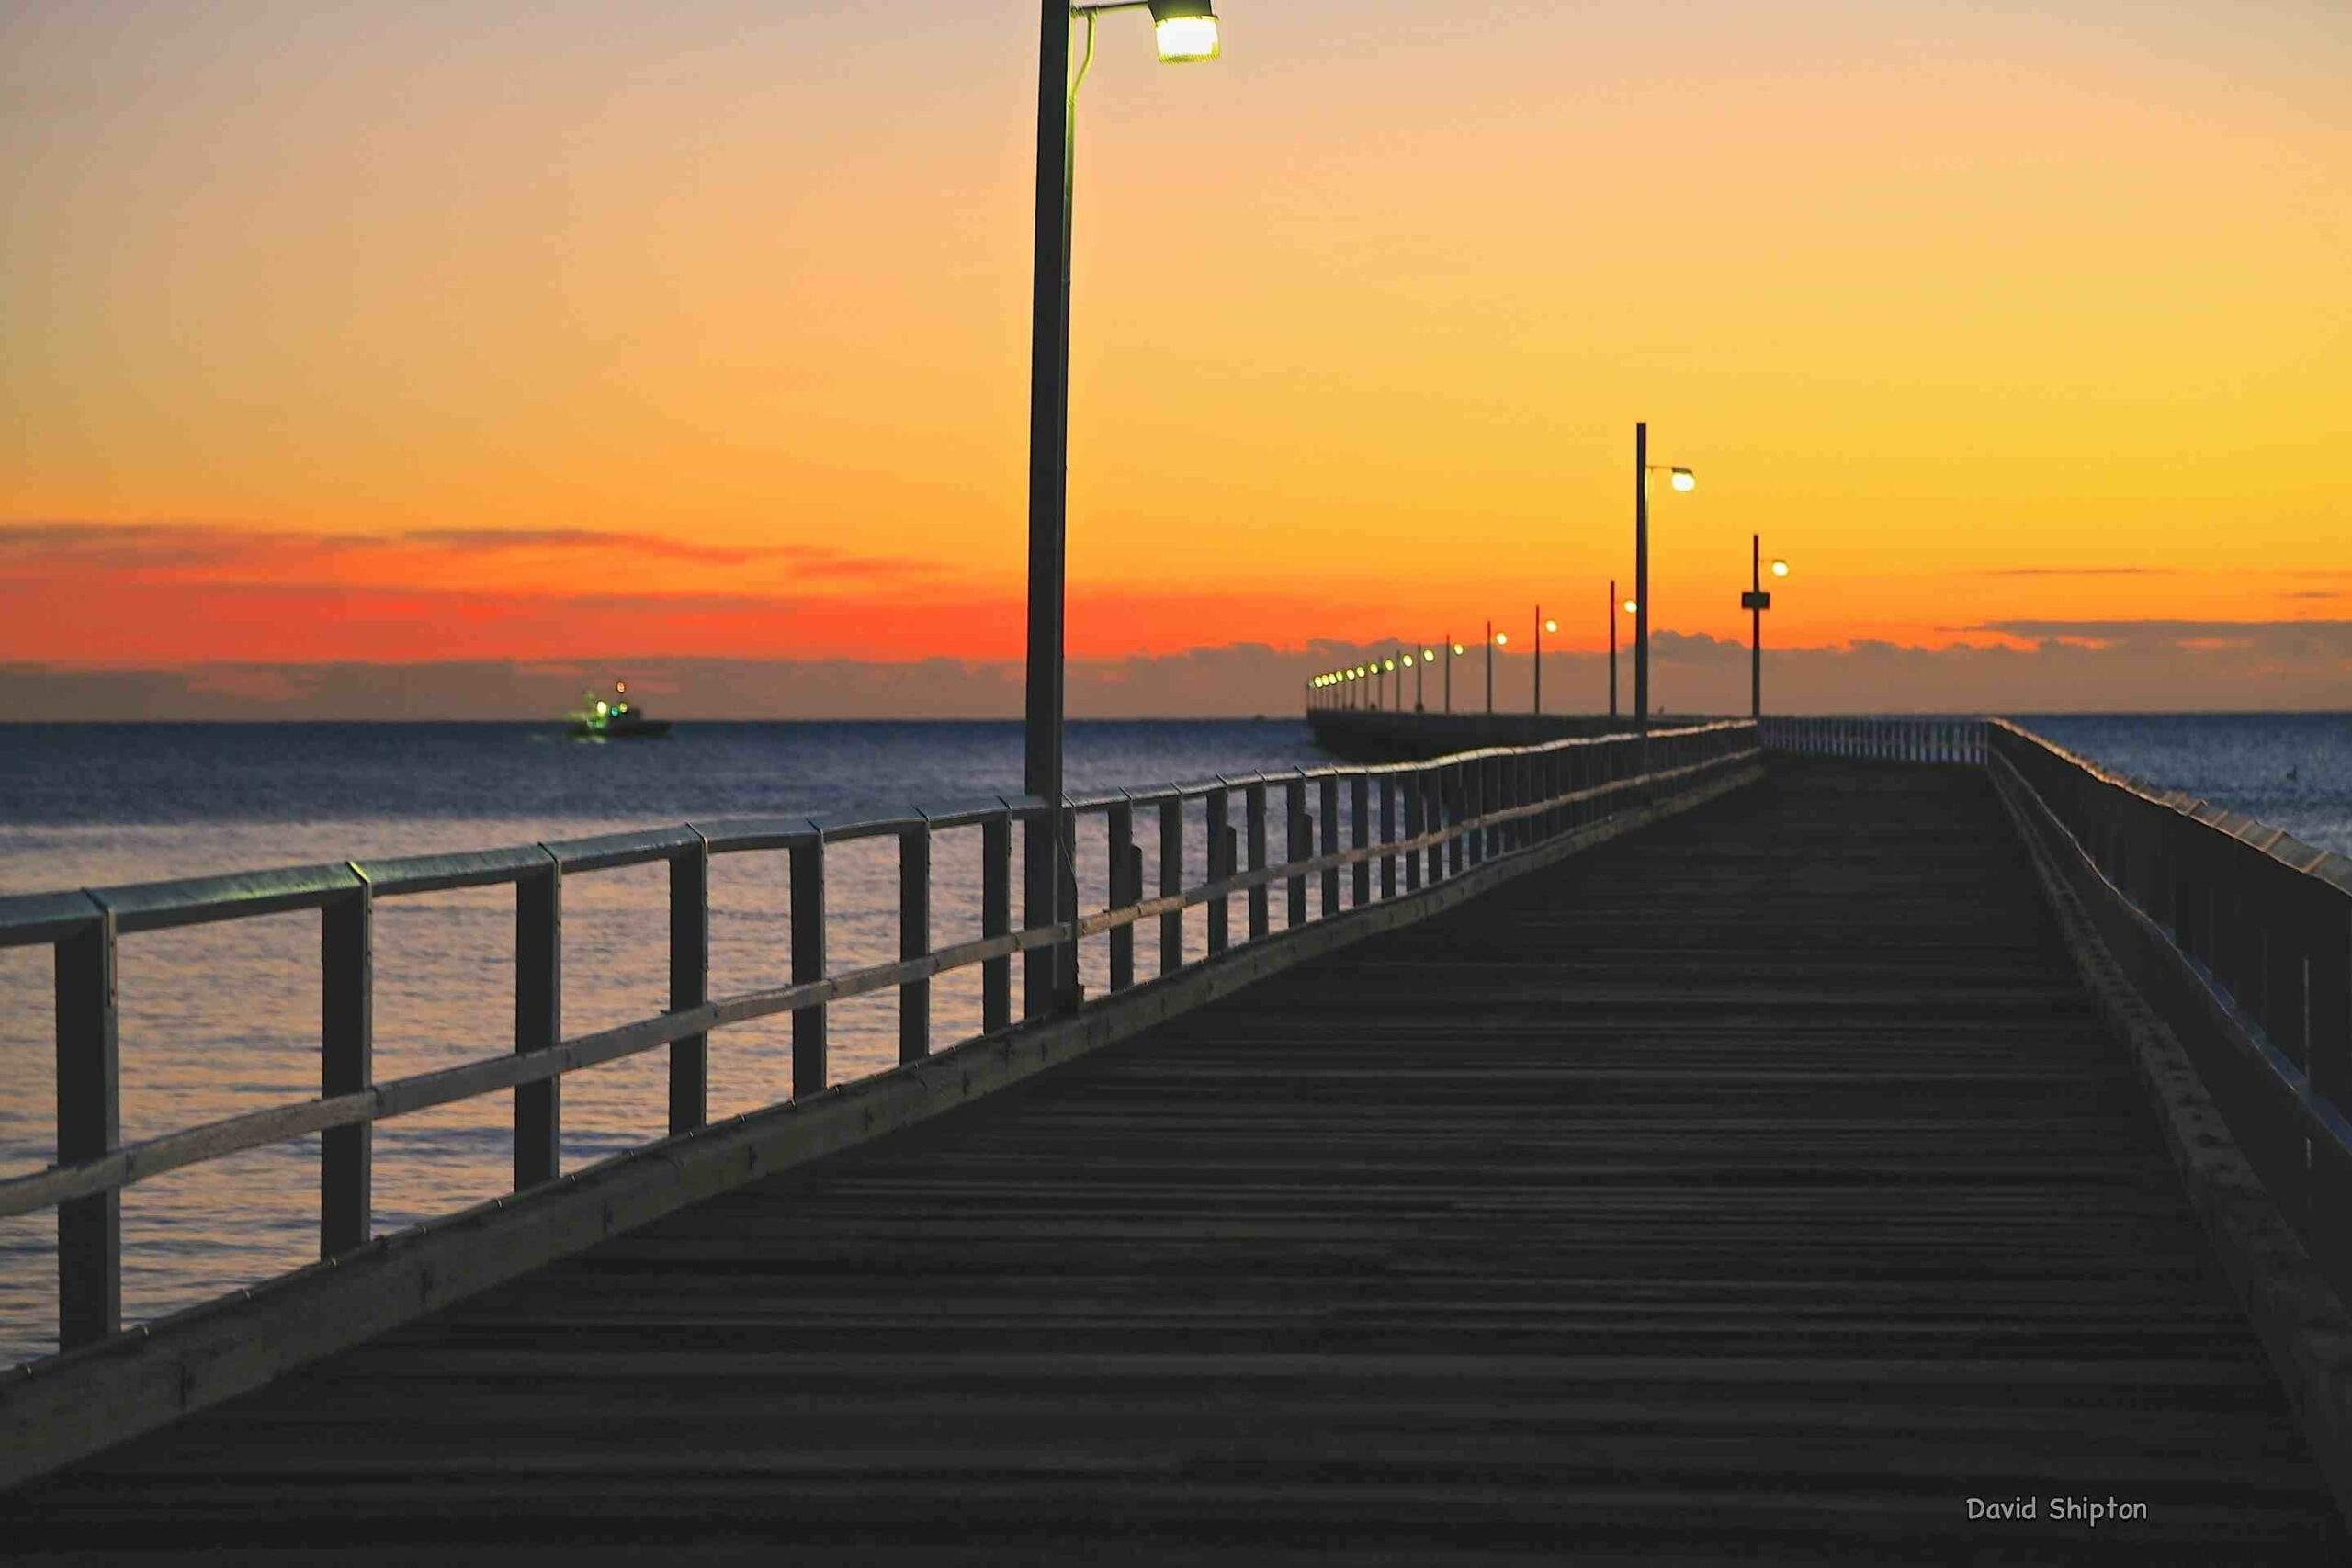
2240,939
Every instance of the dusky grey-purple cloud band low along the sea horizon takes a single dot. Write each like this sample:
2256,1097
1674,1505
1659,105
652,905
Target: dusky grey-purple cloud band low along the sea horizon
2085,666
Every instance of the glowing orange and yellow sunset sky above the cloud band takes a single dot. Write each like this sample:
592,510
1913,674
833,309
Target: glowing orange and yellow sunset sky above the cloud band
575,330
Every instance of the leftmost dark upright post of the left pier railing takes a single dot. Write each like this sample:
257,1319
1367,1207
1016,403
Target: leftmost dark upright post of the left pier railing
88,1125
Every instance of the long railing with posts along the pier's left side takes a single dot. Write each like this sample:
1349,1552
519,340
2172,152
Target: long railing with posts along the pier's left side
1408,826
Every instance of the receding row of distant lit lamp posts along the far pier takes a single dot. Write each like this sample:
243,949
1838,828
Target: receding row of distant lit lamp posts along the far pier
1368,683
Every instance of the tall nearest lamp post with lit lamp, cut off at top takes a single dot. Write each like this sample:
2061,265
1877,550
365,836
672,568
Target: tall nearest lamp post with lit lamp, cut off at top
1184,29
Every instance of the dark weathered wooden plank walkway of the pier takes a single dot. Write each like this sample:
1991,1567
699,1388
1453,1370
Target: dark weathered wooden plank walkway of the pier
1751,1188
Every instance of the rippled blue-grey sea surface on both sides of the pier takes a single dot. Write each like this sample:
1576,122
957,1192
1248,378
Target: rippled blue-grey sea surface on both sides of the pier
225,1019
